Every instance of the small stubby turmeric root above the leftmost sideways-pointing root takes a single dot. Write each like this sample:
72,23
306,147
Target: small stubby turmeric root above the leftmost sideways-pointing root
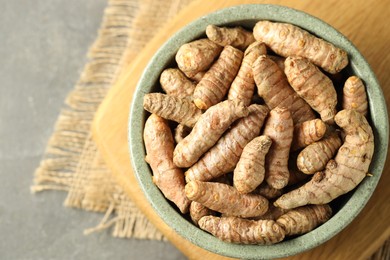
175,83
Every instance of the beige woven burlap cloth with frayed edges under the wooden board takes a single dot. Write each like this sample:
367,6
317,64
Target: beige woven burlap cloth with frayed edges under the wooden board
72,162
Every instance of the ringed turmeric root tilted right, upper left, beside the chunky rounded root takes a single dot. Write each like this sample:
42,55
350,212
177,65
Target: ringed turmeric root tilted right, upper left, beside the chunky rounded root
216,82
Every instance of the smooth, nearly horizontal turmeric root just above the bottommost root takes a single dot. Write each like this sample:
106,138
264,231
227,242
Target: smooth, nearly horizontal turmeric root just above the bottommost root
226,199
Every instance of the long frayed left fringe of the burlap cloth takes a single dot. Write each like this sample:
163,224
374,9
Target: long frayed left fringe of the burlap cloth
61,158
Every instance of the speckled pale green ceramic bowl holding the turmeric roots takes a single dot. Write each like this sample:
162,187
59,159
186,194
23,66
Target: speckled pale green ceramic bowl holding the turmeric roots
345,207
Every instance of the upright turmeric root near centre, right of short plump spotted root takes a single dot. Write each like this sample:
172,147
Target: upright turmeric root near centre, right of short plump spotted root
279,127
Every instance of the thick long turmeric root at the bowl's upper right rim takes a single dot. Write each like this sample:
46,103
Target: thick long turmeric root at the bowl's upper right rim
289,40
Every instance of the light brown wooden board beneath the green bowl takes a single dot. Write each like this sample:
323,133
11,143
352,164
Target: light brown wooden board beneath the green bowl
365,23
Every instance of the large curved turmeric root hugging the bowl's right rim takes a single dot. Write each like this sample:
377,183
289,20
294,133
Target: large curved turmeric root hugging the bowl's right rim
342,174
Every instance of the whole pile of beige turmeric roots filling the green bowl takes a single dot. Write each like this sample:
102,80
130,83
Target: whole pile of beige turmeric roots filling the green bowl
250,167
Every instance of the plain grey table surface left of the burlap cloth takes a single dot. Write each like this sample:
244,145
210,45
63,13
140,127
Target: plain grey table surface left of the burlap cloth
43,44
